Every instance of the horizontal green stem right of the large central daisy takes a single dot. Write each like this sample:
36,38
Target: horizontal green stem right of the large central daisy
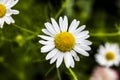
105,34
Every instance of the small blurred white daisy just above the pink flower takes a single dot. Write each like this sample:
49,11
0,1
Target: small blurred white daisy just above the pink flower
108,55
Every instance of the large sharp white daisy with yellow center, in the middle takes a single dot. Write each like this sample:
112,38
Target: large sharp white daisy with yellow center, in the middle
63,42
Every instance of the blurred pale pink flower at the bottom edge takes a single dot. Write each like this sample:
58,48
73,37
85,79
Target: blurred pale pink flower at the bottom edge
104,73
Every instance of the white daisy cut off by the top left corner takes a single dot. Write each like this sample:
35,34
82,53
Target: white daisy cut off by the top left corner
6,11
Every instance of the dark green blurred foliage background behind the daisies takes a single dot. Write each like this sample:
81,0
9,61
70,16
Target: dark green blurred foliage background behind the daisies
20,57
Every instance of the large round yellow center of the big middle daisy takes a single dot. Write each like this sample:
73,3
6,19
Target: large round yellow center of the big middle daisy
64,41
